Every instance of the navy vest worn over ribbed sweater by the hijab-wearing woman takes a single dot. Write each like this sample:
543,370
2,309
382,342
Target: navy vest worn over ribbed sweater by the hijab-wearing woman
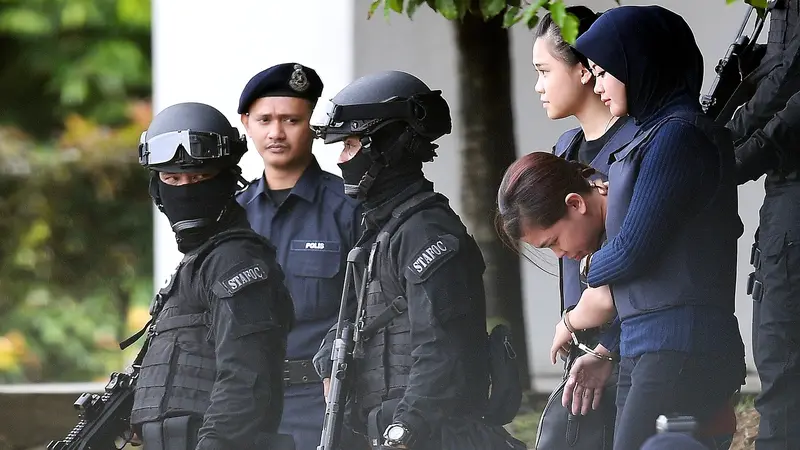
698,266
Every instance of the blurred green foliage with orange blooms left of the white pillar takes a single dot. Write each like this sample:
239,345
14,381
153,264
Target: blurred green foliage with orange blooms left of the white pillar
75,218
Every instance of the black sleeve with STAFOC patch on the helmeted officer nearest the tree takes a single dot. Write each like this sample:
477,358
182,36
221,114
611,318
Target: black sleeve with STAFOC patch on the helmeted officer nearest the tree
446,309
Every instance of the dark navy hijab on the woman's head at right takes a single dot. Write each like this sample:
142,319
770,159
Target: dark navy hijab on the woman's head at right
652,51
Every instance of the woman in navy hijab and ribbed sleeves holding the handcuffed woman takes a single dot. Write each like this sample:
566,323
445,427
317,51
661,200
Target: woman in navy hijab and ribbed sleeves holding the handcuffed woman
671,226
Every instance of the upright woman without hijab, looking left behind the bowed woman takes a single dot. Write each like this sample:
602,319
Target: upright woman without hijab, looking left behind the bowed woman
566,89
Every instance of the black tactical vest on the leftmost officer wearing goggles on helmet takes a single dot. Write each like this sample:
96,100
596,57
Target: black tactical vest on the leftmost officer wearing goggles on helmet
179,368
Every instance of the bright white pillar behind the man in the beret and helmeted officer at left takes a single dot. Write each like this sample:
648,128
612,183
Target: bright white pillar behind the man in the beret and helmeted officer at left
206,51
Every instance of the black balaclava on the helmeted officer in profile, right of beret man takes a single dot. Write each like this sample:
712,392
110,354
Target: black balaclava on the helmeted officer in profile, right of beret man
403,169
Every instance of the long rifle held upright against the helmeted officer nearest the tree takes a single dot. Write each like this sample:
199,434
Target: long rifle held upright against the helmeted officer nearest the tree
345,346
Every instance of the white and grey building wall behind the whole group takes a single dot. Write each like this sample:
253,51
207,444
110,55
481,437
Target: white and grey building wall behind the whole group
335,38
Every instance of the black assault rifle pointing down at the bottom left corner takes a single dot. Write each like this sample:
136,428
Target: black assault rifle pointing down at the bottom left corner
104,419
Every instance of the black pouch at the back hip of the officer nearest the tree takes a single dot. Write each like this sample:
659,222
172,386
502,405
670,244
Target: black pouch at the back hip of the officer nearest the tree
506,392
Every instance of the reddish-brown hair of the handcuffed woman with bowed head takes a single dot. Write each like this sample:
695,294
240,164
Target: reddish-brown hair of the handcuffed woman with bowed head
533,190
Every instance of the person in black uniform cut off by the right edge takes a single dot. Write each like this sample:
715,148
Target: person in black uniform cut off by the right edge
766,131
